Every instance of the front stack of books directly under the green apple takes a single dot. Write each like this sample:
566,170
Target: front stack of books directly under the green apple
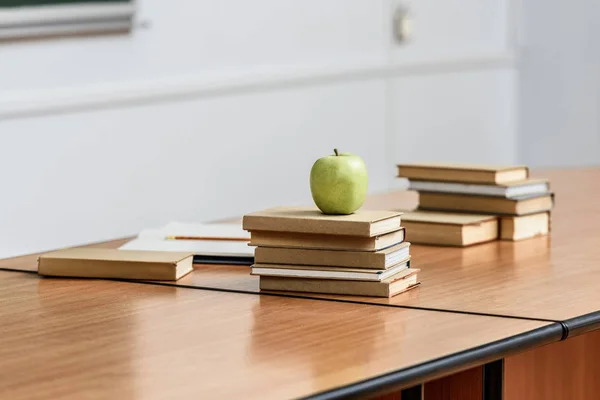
304,250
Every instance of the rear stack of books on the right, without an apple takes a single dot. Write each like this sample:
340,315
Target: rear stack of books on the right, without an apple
463,204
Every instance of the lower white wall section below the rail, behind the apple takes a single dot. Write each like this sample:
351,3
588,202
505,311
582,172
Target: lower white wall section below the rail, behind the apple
95,175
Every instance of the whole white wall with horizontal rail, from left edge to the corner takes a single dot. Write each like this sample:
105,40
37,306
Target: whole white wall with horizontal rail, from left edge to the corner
220,108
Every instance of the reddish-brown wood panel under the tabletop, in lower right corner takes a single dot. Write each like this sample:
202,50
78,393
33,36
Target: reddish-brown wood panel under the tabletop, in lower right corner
561,370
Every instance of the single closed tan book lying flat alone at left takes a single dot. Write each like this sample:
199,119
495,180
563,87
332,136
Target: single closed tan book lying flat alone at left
114,263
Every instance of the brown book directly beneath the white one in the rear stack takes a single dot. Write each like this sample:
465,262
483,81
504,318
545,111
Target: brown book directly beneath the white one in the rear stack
486,204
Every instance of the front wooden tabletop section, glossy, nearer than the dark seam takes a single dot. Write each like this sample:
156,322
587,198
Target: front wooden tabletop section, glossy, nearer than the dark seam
73,339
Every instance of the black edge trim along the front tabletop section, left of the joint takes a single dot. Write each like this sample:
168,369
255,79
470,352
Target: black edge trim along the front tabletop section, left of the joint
430,369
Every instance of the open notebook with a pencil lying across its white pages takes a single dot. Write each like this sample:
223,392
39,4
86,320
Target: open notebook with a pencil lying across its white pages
210,243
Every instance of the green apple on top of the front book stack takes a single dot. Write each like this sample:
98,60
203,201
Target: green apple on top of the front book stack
338,183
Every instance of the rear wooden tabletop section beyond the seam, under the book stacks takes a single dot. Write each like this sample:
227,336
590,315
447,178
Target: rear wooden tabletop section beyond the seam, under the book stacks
554,278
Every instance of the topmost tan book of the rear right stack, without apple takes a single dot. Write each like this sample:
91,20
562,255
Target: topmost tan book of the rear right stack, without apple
471,173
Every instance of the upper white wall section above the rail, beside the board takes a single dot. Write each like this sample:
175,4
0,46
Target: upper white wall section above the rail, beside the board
205,39
